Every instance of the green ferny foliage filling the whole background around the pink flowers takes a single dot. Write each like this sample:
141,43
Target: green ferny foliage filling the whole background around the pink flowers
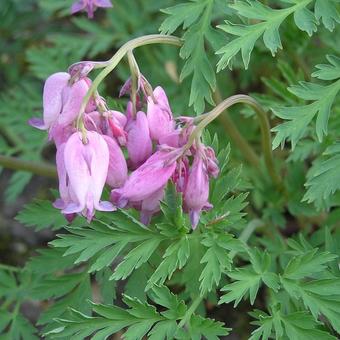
265,262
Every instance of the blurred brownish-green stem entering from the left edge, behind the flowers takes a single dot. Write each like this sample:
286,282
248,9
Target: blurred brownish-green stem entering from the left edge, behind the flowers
41,168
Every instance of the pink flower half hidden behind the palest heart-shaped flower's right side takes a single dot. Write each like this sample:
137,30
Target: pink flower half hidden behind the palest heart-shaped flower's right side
117,171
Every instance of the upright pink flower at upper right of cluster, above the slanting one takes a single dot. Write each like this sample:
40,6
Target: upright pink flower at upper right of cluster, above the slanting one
159,115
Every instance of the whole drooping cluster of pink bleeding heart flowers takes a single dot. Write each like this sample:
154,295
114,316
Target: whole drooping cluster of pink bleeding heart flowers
91,144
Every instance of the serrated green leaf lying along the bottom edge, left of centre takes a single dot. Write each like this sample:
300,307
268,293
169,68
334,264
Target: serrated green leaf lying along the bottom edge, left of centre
139,319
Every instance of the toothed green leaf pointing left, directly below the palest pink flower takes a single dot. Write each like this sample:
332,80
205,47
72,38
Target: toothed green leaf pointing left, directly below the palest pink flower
111,239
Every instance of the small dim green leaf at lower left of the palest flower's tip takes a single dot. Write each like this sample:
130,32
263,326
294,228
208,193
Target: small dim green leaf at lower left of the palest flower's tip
41,215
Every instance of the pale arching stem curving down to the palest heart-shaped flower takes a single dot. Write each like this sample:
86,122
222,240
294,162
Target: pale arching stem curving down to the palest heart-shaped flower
118,56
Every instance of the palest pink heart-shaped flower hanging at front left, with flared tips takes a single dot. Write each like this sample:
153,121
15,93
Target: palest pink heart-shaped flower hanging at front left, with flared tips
86,168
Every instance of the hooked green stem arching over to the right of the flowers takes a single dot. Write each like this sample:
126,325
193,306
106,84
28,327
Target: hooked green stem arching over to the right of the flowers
207,118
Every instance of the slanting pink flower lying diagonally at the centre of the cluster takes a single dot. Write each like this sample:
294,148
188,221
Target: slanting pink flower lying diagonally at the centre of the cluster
149,178
